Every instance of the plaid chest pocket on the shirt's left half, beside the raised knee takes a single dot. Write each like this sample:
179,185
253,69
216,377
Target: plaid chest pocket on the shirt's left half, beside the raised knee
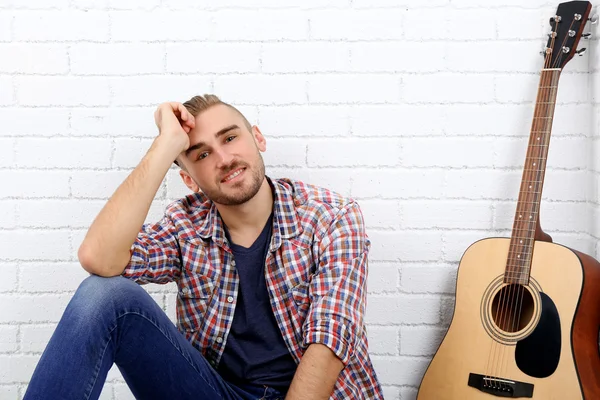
196,293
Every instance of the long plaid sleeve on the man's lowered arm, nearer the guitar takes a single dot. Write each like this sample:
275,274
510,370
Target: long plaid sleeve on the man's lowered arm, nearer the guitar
338,288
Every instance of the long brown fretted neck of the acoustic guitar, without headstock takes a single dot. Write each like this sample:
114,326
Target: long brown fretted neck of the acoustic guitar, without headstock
528,206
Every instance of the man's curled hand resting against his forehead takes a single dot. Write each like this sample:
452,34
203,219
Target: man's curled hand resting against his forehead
174,122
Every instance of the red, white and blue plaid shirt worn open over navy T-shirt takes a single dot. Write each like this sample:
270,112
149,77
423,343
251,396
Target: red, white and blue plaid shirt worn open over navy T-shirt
315,270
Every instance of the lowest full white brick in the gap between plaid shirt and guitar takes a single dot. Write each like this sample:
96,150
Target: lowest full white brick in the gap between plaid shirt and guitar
407,370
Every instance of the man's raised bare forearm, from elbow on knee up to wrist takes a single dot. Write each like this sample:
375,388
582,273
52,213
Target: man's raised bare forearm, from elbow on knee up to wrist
105,249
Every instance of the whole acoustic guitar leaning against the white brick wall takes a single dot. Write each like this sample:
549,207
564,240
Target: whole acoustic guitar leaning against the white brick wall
527,311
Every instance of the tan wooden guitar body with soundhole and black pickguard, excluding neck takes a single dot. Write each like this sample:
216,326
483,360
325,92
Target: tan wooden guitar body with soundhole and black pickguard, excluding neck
550,349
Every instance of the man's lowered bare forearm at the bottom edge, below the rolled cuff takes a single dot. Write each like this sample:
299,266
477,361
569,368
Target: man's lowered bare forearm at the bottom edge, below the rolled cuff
316,374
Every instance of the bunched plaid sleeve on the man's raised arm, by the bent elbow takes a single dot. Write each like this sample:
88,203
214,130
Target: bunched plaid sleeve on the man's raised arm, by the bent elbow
155,254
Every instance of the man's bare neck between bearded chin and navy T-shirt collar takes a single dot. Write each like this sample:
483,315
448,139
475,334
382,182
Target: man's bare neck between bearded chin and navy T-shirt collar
245,220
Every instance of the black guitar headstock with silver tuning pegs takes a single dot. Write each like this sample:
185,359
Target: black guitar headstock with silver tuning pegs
567,28
